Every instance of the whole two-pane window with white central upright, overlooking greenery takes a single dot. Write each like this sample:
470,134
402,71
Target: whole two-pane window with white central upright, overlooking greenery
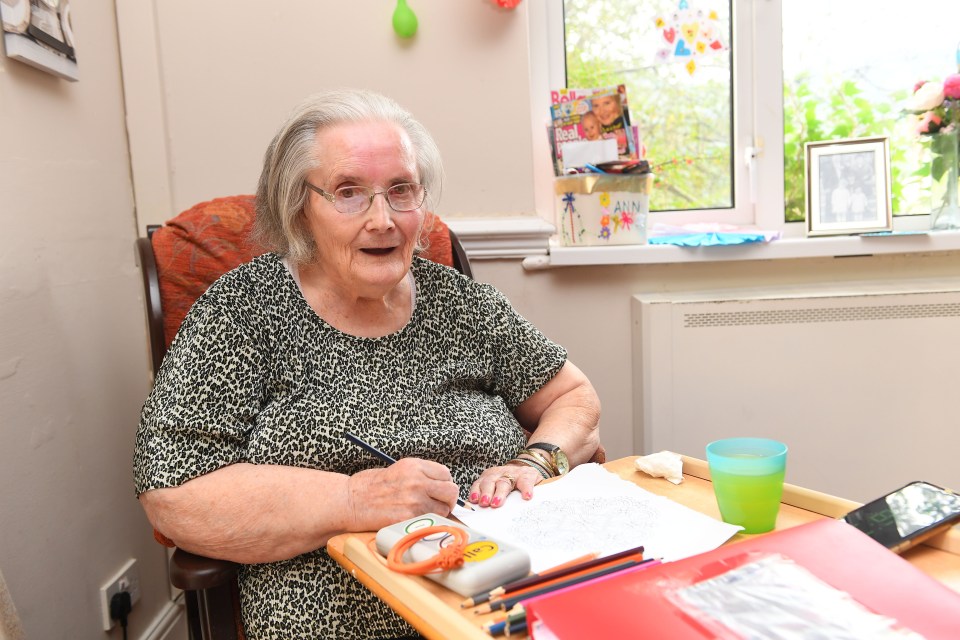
728,139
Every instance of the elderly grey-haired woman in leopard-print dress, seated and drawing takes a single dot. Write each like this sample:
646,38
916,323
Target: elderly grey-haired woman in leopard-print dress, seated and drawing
341,327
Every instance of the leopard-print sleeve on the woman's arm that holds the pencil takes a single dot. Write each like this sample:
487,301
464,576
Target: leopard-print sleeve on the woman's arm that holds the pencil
205,398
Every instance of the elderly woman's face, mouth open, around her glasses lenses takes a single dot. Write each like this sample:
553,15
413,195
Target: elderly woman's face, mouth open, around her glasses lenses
364,254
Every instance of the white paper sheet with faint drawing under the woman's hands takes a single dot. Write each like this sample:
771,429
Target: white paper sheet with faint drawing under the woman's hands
593,510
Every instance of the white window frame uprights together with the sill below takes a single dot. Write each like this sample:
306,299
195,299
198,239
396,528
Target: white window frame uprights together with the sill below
757,158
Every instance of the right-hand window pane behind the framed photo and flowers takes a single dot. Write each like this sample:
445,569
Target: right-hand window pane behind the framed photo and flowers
848,68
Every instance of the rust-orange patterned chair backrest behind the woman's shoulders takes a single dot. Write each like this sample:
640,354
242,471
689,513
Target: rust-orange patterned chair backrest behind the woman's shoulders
210,238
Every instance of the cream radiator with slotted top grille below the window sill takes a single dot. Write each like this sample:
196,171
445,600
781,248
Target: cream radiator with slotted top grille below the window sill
863,386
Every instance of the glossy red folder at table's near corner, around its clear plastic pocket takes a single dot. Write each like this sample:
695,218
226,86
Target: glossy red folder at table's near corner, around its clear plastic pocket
636,605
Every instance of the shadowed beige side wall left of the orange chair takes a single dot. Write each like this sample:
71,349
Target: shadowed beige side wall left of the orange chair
73,365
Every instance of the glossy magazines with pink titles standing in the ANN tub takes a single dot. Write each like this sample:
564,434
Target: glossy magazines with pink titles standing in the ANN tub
590,115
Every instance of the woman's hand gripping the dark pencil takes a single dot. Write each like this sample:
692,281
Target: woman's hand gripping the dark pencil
409,487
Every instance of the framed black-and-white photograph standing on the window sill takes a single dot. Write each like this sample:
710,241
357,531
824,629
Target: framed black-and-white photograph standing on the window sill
848,186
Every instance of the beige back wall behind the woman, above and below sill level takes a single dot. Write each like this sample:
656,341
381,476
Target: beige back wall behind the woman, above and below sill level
466,76
